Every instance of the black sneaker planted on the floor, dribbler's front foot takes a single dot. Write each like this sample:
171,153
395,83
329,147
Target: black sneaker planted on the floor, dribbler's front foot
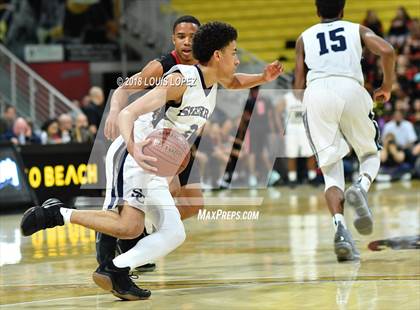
117,281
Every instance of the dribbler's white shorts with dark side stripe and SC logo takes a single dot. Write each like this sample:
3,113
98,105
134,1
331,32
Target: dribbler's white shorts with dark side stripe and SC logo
126,181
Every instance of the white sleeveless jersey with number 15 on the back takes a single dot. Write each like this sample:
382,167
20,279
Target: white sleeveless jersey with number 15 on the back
333,49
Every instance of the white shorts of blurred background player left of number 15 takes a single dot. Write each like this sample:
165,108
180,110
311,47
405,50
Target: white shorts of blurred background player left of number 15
297,144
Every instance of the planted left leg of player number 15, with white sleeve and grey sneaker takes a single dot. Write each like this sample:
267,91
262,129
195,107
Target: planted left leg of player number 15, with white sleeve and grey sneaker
334,194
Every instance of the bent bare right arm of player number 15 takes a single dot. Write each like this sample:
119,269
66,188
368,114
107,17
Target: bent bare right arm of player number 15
382,48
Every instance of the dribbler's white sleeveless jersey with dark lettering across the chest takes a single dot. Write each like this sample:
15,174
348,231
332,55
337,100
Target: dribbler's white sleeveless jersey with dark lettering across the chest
192,112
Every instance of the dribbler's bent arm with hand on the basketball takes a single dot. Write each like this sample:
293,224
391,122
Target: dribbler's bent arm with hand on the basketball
171,89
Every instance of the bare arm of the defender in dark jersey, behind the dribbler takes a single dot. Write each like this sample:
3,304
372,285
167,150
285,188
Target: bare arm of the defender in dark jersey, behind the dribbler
141,80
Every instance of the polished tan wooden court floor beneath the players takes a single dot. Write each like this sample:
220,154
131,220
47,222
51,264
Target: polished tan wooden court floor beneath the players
282,260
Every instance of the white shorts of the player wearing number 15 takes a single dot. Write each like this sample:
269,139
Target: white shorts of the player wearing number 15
339,117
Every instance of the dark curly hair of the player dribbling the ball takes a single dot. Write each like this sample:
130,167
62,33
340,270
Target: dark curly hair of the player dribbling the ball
211,37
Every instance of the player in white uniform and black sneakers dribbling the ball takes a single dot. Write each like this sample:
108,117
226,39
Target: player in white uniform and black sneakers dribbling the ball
188,97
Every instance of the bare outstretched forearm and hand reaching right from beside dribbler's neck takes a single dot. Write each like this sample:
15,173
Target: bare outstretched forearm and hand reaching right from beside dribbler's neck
244,80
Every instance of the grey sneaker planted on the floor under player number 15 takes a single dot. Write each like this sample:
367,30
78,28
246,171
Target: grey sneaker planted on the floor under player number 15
344,245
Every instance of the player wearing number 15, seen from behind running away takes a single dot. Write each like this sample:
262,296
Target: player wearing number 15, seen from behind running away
339,111
